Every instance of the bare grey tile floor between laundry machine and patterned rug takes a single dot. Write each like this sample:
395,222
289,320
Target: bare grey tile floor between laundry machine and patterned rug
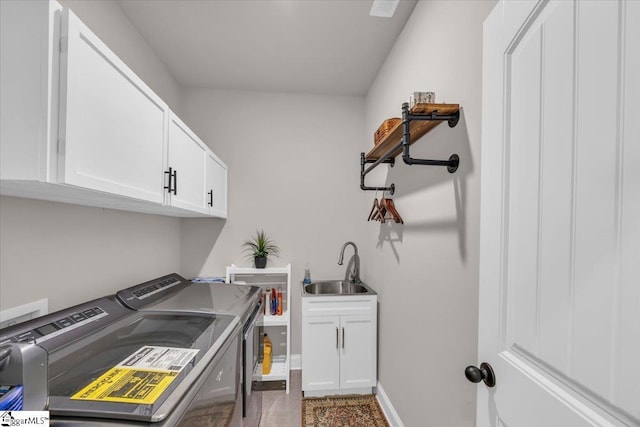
280,409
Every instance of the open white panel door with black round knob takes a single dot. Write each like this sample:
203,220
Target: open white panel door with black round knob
560,216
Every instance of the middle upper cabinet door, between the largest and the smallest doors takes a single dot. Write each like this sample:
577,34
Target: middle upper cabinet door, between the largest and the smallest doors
186,158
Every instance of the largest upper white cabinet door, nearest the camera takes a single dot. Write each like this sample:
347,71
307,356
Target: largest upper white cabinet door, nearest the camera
112,125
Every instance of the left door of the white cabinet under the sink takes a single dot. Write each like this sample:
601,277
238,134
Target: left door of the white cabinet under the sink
321,353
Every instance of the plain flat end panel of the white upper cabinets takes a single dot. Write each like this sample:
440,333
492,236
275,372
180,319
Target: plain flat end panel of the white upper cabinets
29,86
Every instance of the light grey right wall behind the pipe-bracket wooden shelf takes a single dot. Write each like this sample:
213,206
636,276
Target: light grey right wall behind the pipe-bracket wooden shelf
426,272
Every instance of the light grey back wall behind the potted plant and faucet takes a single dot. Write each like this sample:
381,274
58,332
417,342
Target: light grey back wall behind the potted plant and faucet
293,171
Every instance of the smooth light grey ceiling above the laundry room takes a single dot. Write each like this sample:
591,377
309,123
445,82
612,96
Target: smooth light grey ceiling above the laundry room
308,46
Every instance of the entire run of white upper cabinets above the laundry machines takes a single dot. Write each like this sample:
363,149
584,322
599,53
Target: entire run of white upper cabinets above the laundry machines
77,125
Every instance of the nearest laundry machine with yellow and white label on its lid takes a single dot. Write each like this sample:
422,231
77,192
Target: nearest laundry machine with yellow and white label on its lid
108,365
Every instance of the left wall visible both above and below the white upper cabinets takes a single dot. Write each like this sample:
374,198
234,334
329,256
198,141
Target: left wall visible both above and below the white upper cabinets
70,253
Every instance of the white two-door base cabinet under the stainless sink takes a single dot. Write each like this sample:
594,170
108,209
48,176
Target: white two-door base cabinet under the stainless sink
339,345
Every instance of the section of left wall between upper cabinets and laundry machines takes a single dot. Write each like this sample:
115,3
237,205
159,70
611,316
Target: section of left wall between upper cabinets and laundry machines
71,253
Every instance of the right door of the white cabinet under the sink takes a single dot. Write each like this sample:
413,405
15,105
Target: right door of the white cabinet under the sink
358,351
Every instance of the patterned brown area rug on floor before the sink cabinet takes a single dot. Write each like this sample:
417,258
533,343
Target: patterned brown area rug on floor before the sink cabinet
342,411
